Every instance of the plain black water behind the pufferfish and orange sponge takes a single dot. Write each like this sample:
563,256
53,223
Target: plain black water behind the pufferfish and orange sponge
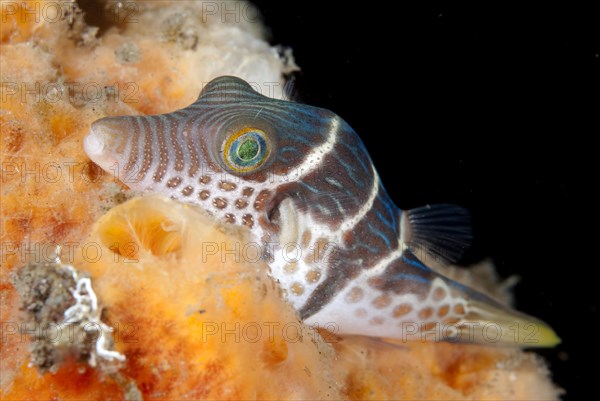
493,108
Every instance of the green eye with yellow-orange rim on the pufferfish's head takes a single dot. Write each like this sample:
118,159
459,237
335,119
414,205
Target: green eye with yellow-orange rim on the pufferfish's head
246,150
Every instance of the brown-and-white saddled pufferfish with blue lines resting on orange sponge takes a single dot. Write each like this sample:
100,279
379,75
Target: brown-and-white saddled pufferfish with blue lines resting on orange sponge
301,180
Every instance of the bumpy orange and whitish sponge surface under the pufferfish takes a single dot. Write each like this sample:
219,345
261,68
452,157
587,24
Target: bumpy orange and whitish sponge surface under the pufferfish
191,324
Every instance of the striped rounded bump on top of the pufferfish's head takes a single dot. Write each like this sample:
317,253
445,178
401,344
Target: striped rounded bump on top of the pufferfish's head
226,89
